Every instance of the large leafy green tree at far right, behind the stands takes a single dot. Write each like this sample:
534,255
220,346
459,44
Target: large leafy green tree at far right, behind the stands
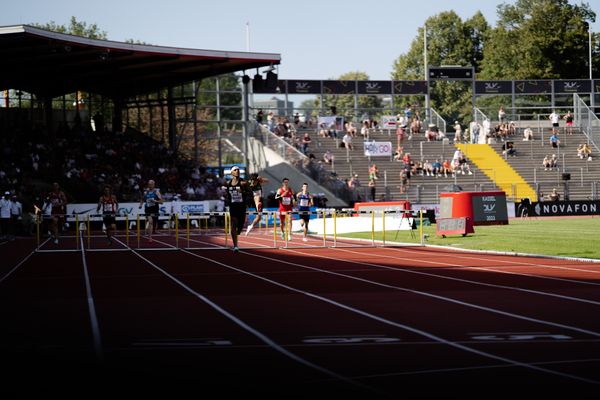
539,39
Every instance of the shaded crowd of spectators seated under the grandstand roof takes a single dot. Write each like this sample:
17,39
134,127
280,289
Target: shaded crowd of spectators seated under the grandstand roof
83,161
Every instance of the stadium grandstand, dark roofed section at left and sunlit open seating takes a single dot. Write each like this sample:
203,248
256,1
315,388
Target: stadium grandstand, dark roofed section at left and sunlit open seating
87,113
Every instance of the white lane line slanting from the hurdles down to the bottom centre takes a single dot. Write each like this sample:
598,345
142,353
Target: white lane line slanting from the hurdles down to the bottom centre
253,331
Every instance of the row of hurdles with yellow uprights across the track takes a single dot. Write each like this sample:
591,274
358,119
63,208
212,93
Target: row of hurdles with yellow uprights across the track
213,230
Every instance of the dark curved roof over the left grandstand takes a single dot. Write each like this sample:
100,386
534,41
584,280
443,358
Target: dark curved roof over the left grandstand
51,63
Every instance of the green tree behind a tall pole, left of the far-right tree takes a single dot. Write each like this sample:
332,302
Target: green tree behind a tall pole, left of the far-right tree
450,41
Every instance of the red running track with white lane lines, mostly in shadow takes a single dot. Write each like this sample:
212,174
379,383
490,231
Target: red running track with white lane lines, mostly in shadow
358,322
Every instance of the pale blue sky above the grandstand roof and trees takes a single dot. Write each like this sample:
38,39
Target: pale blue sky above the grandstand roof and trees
317,39
